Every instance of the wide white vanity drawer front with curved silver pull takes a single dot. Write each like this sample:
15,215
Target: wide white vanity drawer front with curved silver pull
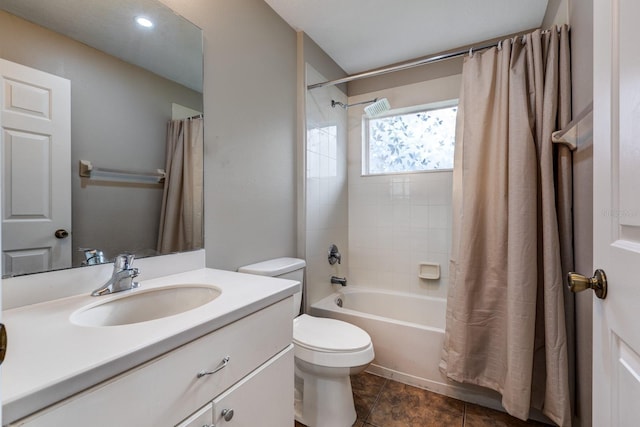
165,390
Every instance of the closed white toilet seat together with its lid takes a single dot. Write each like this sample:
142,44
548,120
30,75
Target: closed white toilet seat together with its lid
331,342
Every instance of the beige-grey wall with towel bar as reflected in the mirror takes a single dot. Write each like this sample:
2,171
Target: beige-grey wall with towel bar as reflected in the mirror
118,120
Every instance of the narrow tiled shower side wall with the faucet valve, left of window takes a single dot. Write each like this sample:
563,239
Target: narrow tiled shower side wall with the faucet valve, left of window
326,185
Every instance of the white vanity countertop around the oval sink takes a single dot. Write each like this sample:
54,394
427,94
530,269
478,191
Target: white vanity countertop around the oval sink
49,358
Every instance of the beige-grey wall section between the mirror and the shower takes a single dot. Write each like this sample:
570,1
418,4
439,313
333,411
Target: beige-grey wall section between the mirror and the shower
250,130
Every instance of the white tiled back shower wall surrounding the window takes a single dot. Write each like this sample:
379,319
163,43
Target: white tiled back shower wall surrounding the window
398,221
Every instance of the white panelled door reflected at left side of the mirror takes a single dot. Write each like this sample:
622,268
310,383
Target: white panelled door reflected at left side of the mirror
35,135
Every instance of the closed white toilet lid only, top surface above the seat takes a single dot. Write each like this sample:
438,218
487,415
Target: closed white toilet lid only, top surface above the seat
324,334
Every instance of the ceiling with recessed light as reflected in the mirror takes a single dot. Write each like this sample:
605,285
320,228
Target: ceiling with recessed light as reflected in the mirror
171,49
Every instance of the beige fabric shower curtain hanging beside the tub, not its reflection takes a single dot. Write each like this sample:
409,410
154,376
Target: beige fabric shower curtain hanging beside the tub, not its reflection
506,327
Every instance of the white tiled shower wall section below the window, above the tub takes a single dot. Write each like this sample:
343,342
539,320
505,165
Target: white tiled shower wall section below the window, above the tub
395,223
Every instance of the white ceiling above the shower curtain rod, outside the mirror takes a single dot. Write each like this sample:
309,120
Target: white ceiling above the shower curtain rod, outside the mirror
362,35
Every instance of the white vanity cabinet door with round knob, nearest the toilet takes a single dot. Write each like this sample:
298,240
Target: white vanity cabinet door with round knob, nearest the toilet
262,398
